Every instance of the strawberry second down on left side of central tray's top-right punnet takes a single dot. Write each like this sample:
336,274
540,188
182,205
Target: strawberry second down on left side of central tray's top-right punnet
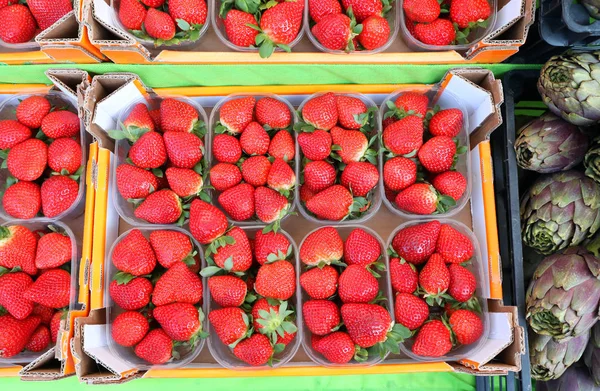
404,137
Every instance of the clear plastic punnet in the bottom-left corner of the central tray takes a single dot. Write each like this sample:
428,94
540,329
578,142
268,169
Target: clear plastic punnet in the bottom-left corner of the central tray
112,311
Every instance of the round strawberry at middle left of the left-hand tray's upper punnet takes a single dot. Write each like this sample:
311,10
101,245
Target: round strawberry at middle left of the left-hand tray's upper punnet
27,161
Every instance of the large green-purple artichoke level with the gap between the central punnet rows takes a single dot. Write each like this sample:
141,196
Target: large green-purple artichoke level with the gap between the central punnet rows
560,210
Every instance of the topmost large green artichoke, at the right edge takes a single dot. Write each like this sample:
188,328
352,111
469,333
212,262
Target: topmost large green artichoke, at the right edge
570,86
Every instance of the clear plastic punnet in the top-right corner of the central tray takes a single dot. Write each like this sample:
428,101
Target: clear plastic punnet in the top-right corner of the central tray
445,100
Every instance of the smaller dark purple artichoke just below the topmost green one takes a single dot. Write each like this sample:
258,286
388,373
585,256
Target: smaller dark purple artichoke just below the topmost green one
549,144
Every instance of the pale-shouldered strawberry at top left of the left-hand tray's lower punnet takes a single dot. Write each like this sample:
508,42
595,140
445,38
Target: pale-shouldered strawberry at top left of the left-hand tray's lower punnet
17,248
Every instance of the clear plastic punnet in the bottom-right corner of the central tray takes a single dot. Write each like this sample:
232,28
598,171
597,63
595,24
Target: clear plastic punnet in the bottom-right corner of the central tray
476,267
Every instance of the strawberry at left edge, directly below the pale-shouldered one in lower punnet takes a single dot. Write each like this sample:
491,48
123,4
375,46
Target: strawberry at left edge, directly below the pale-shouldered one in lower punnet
12,288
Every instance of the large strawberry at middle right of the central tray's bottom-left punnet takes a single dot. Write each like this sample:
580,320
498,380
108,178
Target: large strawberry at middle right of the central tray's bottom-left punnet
177,285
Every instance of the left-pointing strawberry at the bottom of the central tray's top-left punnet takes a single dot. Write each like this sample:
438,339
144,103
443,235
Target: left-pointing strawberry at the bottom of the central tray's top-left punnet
160,207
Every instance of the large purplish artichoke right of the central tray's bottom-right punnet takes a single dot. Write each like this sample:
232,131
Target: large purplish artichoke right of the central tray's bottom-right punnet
564,295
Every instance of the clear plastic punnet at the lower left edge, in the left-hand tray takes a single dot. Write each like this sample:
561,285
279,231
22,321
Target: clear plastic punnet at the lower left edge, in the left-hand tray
42,224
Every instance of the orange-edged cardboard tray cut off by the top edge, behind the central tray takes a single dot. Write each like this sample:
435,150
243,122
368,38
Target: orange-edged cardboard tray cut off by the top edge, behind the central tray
513,22
